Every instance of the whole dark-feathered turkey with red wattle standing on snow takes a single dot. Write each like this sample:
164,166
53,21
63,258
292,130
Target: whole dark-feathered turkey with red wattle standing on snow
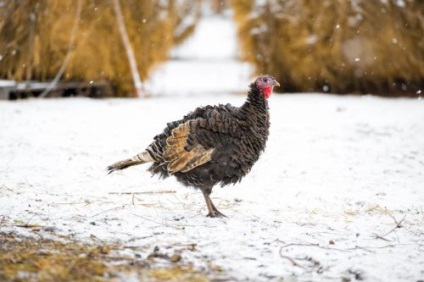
211,145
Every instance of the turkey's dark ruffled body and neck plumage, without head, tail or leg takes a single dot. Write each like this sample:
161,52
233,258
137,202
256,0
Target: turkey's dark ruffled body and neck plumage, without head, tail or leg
233,136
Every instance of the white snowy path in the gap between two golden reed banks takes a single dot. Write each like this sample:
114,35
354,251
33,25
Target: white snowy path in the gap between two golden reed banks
206,63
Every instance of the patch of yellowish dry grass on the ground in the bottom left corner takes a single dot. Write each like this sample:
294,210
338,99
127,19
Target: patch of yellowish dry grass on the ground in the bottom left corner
29,259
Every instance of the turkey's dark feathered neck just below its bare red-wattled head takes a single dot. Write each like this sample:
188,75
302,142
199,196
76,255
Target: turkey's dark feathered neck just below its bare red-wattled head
255,108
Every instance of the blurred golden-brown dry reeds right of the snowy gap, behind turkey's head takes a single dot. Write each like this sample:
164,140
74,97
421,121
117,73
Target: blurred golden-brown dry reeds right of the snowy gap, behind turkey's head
336,46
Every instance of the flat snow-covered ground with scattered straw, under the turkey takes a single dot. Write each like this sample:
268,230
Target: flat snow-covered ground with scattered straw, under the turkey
338,172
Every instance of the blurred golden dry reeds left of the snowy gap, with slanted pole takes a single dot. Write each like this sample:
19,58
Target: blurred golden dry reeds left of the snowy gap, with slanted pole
34,38
